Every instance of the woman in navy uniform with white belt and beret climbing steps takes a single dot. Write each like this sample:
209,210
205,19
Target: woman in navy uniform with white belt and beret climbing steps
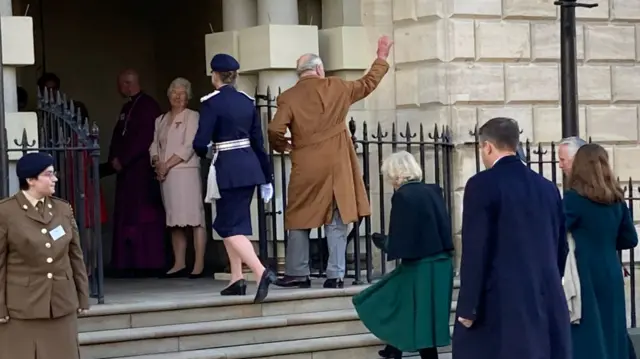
230,125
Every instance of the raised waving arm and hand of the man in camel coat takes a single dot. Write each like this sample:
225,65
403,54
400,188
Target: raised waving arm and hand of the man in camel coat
364,86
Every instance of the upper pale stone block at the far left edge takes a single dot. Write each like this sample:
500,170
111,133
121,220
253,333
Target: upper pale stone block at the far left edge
17,41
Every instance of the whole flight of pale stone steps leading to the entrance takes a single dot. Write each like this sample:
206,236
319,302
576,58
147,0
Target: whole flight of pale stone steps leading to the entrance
291,324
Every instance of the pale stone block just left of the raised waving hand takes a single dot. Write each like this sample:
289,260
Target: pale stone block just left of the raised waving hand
344,48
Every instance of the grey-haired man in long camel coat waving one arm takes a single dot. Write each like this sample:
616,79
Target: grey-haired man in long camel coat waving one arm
325,186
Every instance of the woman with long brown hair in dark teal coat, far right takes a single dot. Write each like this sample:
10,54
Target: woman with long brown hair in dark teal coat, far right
601,225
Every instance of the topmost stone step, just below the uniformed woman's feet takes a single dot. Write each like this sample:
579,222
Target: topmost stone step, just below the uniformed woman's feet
215,308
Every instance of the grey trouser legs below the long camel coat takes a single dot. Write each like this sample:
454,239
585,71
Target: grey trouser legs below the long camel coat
297,261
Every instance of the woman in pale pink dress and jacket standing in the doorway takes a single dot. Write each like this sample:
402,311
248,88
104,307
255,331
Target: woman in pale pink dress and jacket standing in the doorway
178,171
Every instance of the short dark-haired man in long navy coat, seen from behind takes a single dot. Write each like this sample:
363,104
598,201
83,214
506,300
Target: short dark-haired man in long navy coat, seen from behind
511,302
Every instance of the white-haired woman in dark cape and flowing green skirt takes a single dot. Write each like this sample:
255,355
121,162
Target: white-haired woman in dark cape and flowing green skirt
409,308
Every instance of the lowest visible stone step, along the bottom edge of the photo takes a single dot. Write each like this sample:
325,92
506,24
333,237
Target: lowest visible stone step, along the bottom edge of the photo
360,346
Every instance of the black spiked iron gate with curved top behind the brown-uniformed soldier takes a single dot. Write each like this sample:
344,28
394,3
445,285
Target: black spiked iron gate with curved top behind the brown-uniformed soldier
73,143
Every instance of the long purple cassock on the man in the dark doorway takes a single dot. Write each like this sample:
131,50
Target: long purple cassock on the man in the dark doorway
139,219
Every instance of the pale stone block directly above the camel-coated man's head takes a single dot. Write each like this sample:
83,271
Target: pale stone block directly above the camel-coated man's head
275,47
